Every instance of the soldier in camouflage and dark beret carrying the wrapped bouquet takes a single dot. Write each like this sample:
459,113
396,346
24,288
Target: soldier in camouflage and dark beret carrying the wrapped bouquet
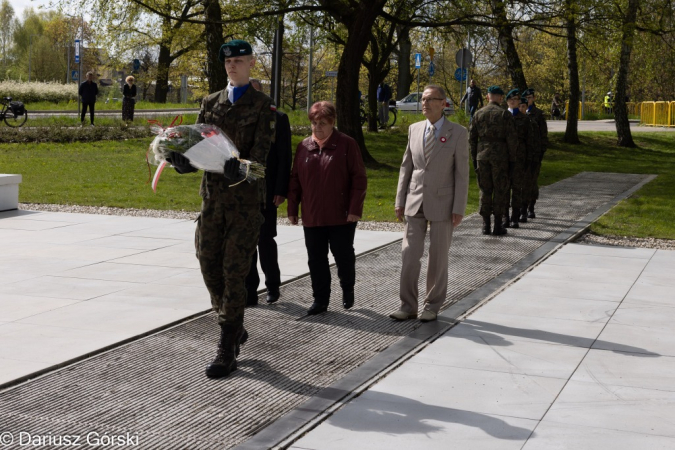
230,219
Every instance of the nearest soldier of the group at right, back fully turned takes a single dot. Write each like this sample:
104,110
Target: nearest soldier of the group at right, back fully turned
493,142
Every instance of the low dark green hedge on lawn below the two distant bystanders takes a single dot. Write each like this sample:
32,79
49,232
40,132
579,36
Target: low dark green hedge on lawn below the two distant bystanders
74,134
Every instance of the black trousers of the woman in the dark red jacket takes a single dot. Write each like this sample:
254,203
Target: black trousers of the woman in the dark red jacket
340,240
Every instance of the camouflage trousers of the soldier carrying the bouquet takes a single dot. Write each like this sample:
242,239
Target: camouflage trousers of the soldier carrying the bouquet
225,239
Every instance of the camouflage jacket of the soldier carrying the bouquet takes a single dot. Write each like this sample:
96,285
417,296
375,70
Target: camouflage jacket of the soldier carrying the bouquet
249,123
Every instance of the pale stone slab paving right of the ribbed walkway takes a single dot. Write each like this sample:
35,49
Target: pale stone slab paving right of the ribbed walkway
578,354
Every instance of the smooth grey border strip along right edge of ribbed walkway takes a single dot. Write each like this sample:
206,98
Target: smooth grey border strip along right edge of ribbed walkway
283,432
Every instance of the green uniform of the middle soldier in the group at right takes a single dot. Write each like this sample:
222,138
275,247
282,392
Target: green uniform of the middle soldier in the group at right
527,143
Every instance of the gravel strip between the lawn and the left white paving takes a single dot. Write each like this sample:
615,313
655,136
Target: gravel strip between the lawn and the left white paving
173,214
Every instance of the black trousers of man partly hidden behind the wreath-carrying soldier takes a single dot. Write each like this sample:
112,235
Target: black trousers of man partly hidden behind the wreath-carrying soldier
269,257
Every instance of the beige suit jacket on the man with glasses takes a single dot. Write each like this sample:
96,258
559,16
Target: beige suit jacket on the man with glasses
442,182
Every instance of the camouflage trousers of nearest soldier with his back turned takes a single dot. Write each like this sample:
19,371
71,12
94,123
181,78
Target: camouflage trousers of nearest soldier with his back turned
493,181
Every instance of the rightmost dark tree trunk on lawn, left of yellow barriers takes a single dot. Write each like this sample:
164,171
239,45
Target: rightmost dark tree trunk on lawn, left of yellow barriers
625,138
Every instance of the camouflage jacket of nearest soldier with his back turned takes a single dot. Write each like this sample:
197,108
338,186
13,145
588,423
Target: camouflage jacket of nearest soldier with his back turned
492,134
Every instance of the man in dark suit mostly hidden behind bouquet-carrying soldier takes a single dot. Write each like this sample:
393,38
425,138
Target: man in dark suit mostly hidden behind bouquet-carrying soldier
278,170
